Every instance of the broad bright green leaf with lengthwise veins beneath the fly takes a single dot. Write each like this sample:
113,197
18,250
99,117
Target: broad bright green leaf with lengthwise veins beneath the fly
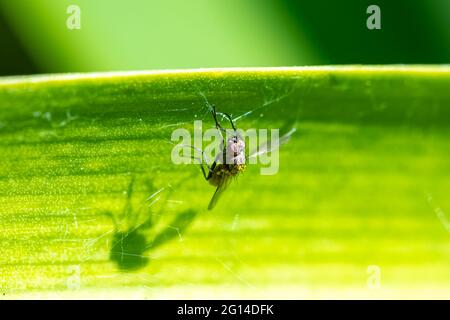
91,204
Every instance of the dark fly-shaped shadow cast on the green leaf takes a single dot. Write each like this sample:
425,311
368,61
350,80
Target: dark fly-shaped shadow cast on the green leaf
129,247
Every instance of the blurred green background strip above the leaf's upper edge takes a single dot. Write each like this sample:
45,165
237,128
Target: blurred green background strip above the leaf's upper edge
151,34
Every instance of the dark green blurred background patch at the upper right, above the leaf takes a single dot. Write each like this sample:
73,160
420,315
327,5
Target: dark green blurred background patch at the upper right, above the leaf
412,31
